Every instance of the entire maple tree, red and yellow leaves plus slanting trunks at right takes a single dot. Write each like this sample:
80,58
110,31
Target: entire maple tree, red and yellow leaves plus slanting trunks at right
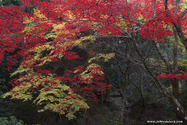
67,23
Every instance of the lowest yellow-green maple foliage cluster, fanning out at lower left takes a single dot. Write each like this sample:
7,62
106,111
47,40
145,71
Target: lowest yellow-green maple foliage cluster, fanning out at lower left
59,99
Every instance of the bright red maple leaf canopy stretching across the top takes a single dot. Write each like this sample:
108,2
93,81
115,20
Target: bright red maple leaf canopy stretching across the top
103,17
